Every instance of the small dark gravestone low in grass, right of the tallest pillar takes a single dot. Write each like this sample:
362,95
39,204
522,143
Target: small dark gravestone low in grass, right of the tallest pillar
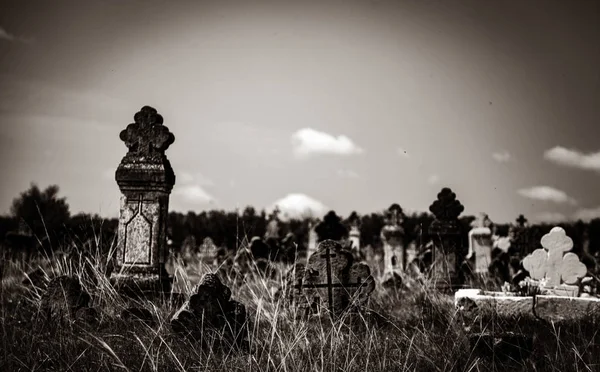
211,315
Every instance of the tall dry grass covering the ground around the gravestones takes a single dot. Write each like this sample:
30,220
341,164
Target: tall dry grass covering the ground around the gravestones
410,329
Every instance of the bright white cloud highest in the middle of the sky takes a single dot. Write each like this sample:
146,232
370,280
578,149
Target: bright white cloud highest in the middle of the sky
307,142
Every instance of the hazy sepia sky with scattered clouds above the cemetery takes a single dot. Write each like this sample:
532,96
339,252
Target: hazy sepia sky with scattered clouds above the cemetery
344,105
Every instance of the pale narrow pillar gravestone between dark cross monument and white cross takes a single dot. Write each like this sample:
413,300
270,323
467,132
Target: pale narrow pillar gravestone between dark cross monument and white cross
480,243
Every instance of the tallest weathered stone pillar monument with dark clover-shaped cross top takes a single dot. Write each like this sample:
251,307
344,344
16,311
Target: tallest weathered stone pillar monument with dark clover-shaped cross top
145,178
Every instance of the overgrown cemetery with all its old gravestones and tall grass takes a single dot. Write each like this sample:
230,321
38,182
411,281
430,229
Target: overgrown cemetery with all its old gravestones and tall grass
456,288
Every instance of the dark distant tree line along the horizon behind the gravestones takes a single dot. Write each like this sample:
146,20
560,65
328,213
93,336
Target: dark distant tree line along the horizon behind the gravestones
45,217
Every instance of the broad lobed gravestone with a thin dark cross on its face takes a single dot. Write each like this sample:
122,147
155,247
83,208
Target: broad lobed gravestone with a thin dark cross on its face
331,282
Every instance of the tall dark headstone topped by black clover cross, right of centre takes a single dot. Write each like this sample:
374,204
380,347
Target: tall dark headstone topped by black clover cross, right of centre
445,233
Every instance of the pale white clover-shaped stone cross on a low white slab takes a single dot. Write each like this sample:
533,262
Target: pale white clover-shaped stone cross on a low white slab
559,270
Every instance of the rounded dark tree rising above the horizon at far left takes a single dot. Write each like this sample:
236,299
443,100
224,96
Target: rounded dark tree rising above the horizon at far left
43,211
